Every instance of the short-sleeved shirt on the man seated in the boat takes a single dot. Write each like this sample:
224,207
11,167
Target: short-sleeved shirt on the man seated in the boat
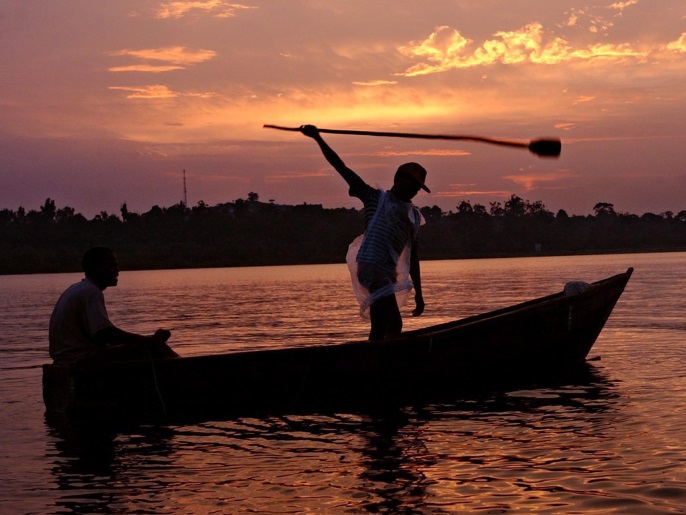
78,315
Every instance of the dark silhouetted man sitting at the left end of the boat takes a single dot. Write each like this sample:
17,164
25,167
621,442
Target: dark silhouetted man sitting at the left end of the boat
81,332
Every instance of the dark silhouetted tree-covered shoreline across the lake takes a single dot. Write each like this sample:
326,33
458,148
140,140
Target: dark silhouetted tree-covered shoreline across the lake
248,232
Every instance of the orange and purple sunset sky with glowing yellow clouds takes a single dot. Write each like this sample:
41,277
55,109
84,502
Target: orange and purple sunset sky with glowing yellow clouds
108,102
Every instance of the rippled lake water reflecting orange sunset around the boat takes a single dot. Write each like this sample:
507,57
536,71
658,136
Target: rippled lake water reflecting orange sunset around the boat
611,443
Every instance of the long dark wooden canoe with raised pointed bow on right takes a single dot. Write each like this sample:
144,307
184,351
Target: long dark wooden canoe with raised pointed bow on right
547,333
